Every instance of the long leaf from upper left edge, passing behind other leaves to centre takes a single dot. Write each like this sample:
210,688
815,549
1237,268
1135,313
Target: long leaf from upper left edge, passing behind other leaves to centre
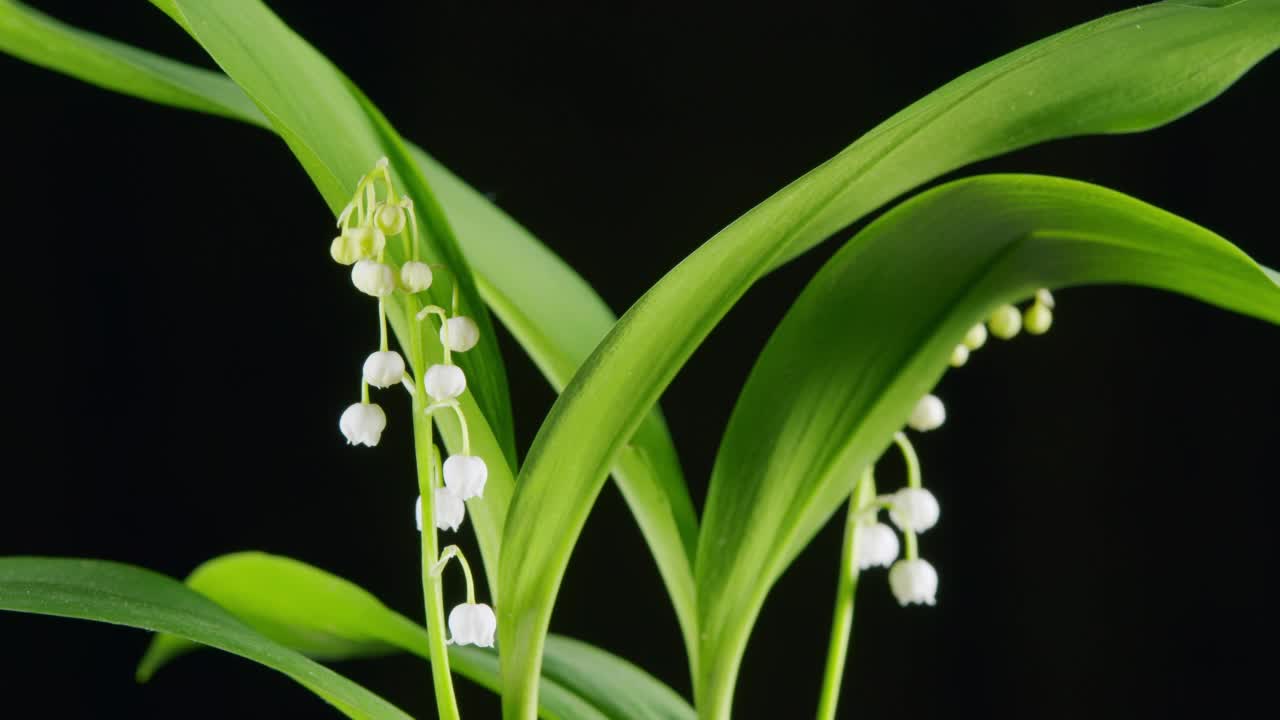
548,308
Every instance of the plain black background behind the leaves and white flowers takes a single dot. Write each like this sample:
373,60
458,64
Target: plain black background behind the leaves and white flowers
182,348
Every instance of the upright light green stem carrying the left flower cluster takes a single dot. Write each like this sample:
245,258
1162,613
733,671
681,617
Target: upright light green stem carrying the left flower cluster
428,462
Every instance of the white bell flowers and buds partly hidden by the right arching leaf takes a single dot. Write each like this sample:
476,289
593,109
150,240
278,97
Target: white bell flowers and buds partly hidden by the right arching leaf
915,509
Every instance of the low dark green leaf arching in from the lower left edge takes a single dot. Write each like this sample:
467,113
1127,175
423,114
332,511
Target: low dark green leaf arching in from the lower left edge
109,593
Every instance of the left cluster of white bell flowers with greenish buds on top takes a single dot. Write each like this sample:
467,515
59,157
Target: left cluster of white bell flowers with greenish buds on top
376,215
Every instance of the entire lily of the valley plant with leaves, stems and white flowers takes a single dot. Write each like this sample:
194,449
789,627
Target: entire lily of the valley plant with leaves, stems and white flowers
817,413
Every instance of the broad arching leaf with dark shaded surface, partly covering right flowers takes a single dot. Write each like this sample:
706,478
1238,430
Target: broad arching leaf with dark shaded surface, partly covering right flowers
875,331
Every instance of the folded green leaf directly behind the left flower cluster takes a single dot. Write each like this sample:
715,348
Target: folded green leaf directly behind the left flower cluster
308,103
